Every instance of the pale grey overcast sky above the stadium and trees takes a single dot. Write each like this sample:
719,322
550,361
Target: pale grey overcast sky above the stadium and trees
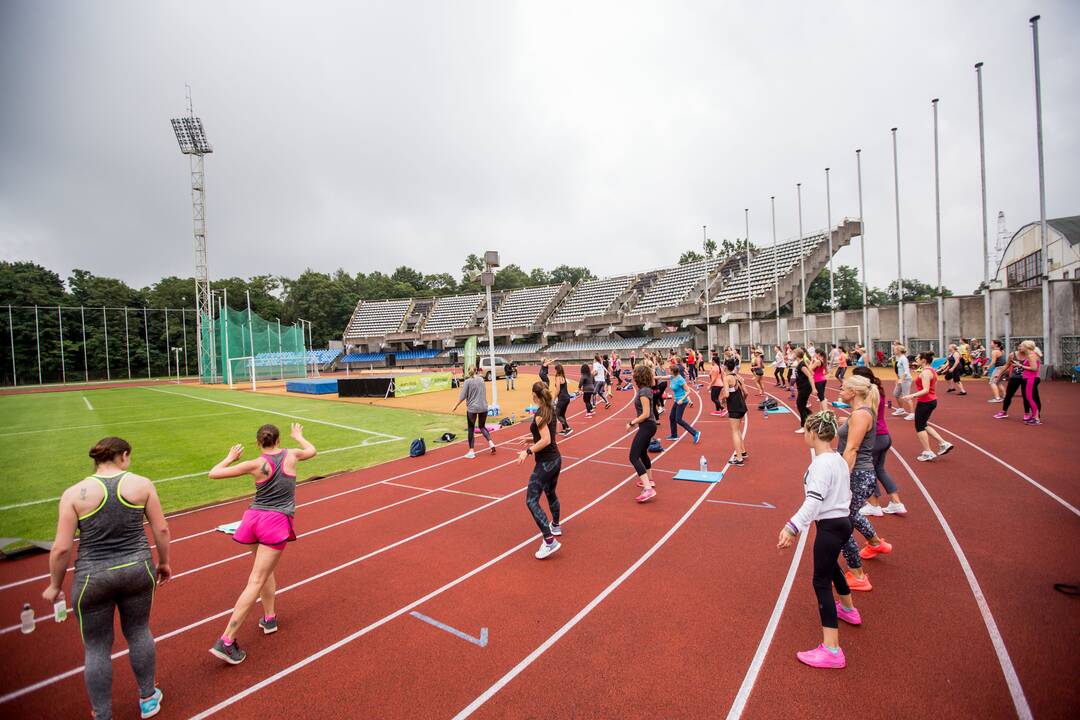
369,135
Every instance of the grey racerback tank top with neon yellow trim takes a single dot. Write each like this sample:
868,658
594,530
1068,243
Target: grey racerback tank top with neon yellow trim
112,535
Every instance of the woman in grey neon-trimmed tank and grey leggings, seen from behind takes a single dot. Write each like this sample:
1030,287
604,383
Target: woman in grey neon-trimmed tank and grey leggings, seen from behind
114,570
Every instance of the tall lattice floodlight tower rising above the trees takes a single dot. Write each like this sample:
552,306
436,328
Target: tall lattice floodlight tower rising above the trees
194,144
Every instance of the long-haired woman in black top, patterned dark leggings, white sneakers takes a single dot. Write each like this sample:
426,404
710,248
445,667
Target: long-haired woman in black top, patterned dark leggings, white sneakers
545,478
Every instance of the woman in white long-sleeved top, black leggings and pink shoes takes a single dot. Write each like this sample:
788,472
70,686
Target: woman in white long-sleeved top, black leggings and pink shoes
827,504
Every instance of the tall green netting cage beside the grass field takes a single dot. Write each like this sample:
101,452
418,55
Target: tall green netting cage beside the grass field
237,345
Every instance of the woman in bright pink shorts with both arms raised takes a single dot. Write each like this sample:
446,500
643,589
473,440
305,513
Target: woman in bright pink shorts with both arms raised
267,525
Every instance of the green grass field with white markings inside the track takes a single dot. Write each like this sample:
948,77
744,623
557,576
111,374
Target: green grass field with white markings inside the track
178,434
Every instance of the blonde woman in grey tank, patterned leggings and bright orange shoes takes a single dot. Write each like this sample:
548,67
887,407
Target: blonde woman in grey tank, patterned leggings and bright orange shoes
857,439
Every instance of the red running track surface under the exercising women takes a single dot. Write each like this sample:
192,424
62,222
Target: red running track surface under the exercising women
674,639
